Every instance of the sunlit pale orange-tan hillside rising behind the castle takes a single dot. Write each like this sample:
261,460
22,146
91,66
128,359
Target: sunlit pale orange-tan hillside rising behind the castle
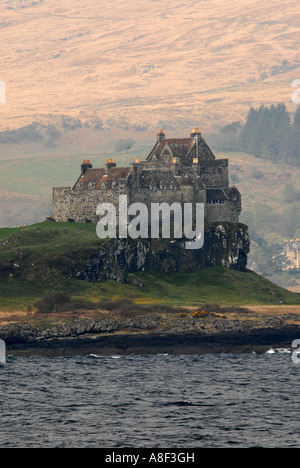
136,64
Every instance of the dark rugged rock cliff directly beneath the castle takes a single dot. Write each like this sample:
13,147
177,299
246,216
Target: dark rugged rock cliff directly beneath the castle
225,244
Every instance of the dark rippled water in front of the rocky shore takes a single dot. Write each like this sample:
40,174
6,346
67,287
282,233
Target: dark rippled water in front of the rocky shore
221,400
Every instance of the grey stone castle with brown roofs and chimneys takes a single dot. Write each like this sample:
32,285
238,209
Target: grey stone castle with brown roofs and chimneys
180,170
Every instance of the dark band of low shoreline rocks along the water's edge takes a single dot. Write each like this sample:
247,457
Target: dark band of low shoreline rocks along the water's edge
145,335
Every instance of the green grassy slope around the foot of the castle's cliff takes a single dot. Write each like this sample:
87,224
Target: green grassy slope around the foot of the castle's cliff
42,252
